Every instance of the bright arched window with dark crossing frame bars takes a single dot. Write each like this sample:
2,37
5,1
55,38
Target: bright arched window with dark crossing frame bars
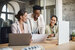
7,12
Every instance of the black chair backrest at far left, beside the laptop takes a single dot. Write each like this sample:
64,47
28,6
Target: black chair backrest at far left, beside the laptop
4,34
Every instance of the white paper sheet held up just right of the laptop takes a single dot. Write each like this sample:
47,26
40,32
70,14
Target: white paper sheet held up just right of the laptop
39,37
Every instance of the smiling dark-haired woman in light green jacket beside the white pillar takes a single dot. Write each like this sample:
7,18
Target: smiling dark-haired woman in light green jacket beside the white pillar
52,28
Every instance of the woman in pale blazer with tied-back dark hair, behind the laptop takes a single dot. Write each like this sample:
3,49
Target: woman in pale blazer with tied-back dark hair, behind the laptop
20,26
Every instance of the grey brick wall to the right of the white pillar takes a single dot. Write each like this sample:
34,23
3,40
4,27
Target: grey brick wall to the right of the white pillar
69,13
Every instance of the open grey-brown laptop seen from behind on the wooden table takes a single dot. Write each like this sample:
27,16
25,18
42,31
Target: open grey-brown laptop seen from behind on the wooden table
20,39
